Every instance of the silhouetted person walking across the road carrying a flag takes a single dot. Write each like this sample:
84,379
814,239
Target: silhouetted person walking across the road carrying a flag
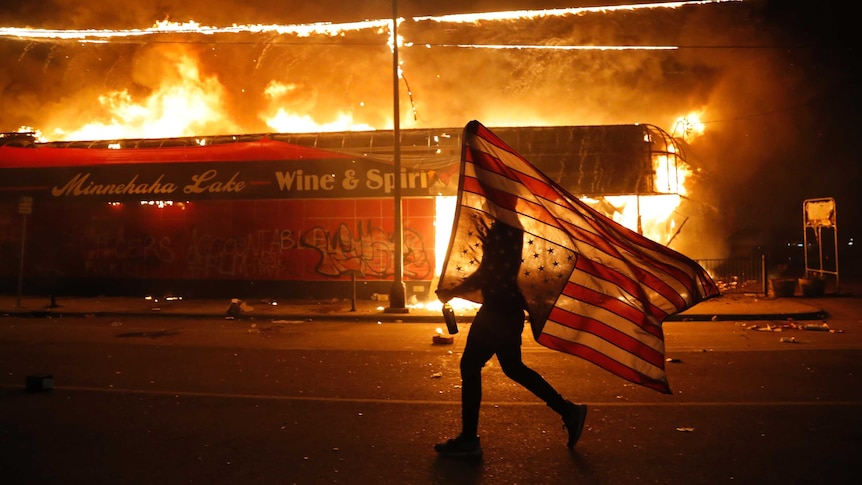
496,330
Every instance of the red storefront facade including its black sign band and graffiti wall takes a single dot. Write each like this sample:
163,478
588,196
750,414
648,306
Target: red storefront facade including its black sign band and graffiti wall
261,218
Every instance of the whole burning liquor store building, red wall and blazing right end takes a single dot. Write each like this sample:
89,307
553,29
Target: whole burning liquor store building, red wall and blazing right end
291,215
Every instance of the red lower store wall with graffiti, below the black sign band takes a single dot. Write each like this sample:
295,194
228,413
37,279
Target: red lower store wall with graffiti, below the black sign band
220,242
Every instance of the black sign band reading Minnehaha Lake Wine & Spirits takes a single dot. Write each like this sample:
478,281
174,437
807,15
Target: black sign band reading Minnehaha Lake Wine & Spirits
322,178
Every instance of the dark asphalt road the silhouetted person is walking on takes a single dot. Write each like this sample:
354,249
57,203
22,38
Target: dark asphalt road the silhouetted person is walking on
166,400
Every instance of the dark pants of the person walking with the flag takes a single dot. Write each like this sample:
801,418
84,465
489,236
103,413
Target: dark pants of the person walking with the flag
497,331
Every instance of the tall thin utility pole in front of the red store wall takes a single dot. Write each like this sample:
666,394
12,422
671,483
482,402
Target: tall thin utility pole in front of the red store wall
397,295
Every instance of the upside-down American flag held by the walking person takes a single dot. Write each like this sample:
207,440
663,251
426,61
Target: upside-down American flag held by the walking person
594,288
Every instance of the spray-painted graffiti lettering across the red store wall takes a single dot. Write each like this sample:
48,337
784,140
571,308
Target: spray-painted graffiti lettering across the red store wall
264,254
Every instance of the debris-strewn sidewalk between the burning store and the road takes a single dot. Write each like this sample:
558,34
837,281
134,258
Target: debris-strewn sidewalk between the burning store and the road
725,307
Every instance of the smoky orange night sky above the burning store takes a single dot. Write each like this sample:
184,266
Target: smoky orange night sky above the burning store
776,81
